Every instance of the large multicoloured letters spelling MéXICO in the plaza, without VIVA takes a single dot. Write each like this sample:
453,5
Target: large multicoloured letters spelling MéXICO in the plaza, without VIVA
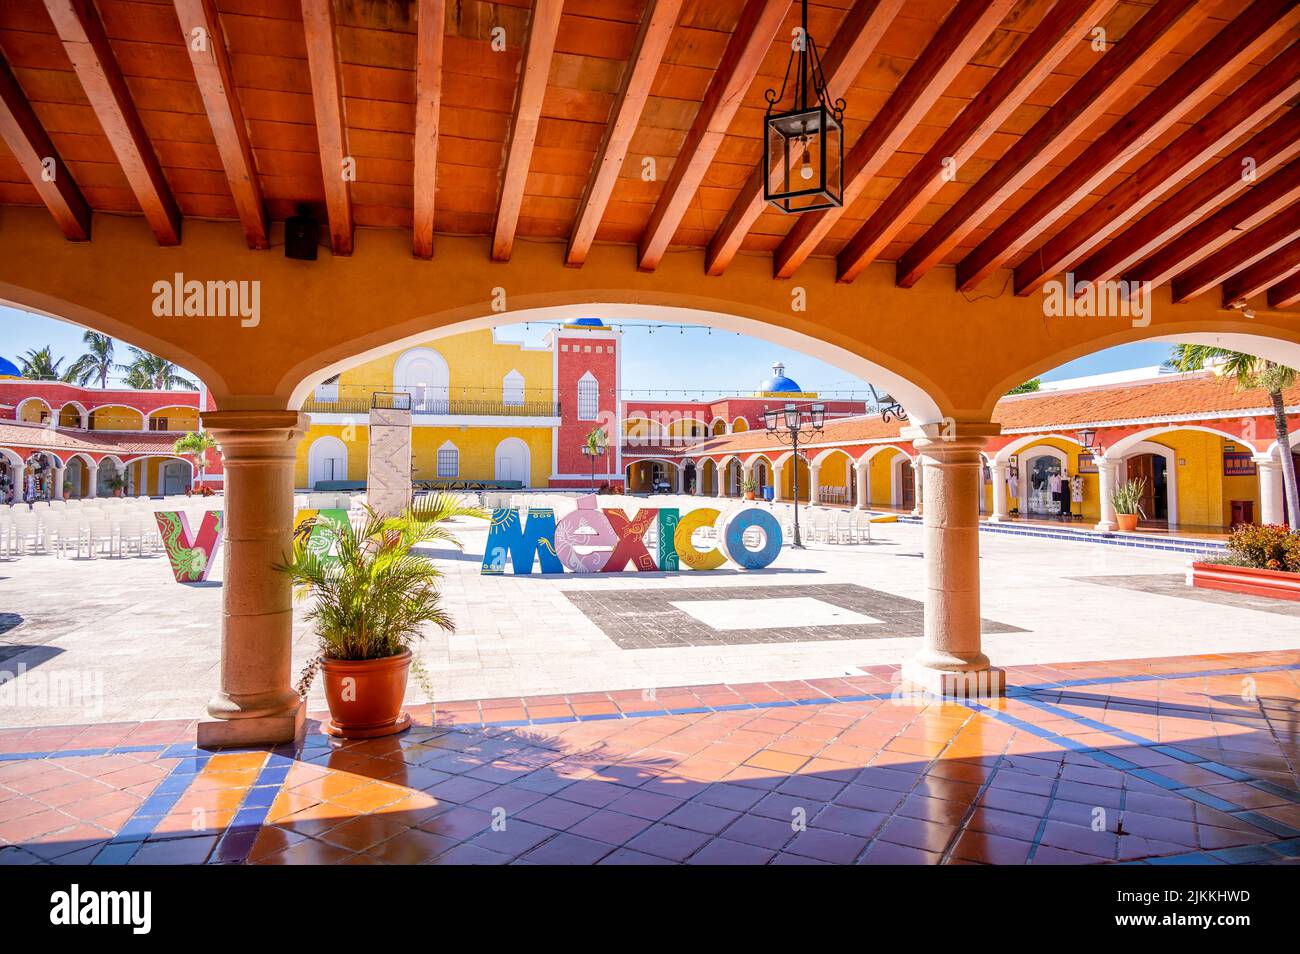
605,541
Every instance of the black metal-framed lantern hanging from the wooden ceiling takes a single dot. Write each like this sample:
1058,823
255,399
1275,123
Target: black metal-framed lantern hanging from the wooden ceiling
804,136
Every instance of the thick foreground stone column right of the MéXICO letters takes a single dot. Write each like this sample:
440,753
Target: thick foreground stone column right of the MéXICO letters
951,662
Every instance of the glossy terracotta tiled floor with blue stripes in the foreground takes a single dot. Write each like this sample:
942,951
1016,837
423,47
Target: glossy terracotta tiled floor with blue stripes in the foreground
1172,761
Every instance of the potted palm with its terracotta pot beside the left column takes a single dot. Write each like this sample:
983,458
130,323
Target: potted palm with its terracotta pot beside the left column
374,597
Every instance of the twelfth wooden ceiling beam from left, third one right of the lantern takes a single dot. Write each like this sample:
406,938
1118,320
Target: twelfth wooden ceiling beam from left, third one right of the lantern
1113,76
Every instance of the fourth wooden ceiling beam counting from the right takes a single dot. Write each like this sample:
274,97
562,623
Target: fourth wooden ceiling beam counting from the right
1258,206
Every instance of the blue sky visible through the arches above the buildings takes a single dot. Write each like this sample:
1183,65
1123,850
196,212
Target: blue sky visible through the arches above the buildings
665,362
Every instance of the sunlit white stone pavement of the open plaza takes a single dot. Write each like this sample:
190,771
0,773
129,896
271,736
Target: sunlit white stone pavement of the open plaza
154,645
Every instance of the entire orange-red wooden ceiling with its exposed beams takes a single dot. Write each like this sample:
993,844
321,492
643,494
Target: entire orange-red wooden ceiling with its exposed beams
640,123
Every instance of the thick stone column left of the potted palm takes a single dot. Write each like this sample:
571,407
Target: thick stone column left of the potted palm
257,703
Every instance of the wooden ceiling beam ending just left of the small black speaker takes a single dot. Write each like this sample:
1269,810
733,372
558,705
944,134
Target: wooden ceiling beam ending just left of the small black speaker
213,73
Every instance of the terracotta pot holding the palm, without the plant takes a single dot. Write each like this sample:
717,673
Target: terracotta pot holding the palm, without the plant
366,696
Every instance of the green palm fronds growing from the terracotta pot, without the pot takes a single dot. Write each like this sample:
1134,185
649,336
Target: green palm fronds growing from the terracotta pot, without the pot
374,597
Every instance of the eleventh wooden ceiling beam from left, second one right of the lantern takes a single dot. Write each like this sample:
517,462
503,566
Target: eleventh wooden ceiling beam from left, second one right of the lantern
1067,25
